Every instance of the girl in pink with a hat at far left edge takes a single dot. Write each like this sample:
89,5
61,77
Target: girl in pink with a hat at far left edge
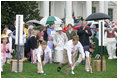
5,47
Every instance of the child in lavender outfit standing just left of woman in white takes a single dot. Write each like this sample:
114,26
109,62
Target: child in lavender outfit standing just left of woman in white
50,44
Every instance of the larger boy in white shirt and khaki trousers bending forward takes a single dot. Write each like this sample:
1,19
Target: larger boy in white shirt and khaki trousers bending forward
70,51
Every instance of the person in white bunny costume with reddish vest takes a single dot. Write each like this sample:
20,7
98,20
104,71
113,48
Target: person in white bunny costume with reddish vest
110,36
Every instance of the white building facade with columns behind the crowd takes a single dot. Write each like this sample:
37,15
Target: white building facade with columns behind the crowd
65,9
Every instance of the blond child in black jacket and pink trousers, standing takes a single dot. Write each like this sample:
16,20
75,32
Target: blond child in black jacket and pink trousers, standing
33,43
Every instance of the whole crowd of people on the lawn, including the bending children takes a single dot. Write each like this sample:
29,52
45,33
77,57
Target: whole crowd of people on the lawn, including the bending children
61,45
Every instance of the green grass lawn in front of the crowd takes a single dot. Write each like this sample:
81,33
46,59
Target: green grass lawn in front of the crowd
30,71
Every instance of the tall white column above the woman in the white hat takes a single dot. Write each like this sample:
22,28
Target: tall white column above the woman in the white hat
69,18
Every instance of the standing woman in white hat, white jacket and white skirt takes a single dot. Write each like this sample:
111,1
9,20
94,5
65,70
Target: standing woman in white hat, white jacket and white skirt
60,39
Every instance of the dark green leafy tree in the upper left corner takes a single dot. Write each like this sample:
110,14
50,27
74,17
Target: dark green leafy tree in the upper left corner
9,9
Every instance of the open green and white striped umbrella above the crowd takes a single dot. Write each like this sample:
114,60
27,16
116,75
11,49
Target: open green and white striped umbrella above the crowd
50,19
